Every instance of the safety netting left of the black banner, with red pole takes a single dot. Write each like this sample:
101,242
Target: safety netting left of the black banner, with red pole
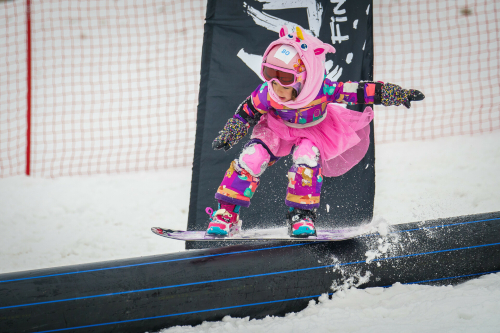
114,85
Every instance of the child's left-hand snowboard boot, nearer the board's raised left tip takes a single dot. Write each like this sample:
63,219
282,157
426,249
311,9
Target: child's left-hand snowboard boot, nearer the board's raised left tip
225,221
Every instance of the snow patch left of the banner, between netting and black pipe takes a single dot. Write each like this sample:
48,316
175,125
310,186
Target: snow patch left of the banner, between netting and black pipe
73,220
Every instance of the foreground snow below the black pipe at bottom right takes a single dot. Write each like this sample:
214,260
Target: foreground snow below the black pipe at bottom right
470,307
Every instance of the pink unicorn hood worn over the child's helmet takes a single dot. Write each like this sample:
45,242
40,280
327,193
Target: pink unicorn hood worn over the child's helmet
312,51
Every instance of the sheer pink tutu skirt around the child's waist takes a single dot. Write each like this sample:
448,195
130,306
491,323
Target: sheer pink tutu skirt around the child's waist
342,137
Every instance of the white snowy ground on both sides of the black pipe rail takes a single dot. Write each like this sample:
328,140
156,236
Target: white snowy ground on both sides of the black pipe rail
63,221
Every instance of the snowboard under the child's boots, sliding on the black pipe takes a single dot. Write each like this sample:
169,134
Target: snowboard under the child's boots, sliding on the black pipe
277,234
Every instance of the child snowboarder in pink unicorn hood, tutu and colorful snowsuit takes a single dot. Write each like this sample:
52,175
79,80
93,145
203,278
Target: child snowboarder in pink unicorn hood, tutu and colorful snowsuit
293,112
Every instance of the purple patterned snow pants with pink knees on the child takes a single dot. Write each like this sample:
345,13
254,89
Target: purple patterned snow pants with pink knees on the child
304,177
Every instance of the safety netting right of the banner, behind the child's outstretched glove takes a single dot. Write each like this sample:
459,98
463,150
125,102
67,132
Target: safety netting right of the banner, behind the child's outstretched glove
450,51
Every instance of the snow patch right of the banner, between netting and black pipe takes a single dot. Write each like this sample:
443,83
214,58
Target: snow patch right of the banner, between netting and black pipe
421,180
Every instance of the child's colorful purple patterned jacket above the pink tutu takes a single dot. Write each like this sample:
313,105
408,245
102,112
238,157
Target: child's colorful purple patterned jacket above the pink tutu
260,102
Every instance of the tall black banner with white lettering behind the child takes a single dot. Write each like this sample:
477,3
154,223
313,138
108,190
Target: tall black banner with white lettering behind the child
236,35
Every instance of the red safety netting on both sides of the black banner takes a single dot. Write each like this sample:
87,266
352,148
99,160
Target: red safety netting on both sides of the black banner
115,83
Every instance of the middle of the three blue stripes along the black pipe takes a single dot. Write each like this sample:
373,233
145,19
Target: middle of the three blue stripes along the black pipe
247,276
